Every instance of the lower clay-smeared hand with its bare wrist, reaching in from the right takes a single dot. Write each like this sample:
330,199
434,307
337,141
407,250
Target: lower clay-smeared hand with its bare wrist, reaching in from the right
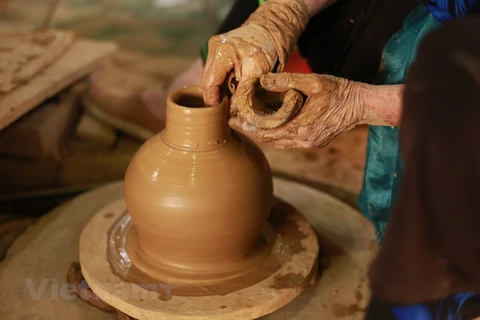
333,105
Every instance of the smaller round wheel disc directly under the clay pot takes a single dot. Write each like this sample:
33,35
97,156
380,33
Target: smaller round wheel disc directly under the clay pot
295,249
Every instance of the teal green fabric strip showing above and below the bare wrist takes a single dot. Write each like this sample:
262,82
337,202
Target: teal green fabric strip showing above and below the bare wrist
384,164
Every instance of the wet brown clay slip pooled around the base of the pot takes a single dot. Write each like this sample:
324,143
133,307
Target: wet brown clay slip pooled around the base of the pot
281,239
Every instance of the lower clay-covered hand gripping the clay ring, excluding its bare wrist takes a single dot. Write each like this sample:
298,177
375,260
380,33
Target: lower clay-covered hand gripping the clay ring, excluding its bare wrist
333,106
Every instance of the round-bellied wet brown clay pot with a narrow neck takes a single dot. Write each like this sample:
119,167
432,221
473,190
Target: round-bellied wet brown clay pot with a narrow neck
198,193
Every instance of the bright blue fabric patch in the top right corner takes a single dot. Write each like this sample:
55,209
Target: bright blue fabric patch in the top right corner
445,10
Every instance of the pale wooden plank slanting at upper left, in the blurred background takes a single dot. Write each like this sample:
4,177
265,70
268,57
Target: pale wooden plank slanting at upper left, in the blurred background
82,58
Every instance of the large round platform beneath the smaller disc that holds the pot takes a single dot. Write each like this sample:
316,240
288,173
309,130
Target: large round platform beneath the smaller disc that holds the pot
42,255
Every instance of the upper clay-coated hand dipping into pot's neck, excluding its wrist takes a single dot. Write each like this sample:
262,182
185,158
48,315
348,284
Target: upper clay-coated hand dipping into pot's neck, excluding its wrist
248,51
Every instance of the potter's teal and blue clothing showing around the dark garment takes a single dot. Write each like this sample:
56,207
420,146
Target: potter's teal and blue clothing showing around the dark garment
384,161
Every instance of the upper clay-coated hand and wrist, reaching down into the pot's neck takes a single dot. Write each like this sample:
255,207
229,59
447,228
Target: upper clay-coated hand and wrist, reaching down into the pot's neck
267,37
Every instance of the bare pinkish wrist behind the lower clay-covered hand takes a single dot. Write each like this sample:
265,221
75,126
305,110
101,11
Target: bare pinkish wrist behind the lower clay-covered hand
383,104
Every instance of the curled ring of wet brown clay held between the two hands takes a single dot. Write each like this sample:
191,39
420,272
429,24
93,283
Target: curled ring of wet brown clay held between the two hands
261,108
